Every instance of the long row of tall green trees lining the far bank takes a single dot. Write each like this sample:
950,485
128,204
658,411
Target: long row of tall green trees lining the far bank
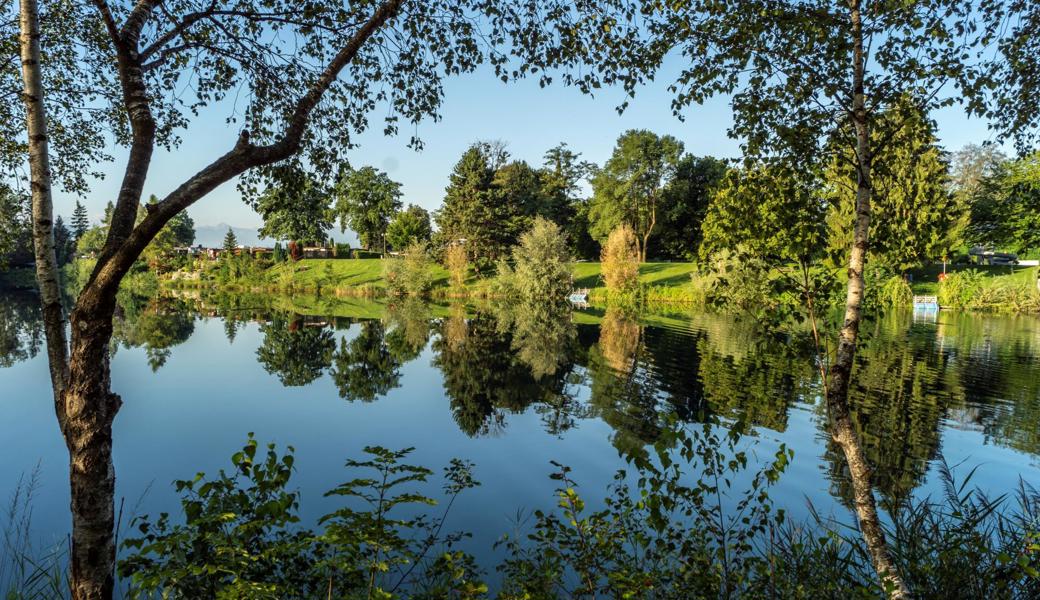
930,204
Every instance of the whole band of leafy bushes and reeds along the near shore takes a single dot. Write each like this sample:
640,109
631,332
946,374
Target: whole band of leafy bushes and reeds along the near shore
659,535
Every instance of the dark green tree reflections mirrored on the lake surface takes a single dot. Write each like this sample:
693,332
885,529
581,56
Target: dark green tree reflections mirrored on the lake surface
913,382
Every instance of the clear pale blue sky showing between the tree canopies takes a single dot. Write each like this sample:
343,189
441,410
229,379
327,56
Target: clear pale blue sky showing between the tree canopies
477,107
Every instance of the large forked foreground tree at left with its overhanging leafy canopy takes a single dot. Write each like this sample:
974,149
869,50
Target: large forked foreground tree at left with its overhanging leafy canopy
298,84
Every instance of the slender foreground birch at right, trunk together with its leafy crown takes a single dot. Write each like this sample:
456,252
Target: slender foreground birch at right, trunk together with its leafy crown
798,74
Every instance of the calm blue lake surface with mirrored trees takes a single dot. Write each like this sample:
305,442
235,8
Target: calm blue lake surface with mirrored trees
513,388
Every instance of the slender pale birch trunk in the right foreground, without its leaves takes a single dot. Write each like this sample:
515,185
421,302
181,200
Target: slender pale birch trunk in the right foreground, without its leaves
839,381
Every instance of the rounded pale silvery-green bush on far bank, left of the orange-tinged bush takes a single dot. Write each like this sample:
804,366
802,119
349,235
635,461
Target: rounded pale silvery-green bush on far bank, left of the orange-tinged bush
542,270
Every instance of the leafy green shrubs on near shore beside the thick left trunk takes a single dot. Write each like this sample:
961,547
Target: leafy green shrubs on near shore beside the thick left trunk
241,538
